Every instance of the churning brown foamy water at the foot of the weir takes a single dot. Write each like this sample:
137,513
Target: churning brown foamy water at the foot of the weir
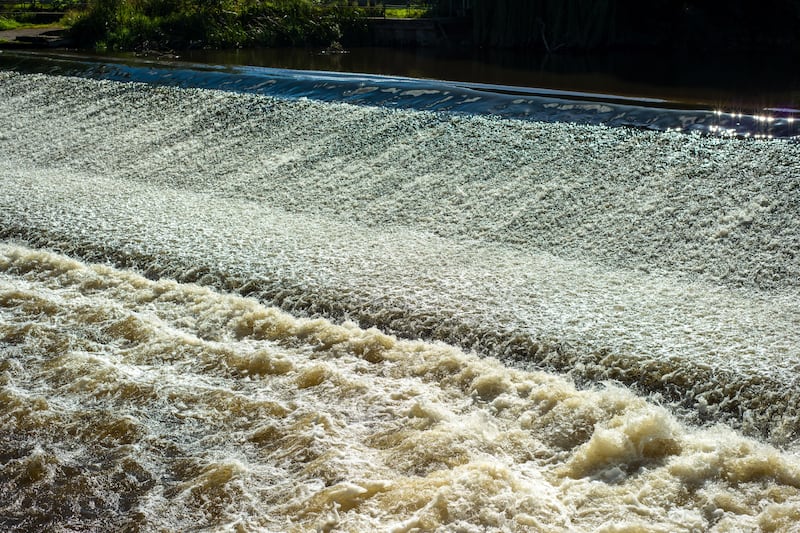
130,403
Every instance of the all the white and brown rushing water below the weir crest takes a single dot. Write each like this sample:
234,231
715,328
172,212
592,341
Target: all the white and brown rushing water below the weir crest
484,323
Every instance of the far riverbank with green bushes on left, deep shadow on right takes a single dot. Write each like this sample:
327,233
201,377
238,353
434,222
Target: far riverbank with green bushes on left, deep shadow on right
537,26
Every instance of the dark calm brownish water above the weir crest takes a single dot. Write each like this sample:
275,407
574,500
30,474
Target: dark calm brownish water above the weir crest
733,82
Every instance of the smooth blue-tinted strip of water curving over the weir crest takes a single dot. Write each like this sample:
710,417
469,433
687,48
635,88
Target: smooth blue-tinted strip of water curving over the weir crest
422,94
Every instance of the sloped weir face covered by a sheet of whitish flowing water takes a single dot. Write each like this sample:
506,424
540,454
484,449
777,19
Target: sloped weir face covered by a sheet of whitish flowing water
664,261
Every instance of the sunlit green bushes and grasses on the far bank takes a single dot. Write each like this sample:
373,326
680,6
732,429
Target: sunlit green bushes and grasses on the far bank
167,24
